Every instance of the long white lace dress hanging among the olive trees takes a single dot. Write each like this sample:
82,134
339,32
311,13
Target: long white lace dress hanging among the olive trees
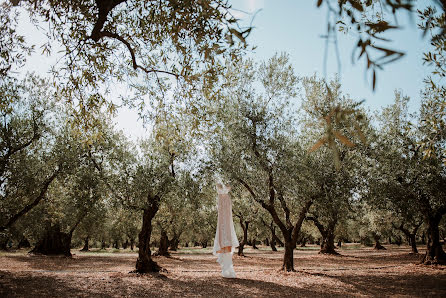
225,234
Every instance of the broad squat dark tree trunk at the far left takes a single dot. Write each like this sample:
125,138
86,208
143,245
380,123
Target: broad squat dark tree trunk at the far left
54,242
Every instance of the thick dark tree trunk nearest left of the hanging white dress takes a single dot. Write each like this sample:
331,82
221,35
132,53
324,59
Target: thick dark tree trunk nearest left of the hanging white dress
144,263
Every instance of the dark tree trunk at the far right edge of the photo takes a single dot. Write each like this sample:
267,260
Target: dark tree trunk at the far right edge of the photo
434,253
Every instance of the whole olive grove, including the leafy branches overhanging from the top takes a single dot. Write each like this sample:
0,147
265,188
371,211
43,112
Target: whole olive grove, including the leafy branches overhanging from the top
325,161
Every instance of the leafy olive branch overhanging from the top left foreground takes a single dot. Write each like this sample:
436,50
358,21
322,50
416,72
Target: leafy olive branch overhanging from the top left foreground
138,44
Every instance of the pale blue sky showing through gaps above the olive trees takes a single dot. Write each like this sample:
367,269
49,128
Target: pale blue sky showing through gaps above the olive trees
295,27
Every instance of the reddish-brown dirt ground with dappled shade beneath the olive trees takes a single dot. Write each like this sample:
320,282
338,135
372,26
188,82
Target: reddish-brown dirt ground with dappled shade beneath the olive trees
194,272
